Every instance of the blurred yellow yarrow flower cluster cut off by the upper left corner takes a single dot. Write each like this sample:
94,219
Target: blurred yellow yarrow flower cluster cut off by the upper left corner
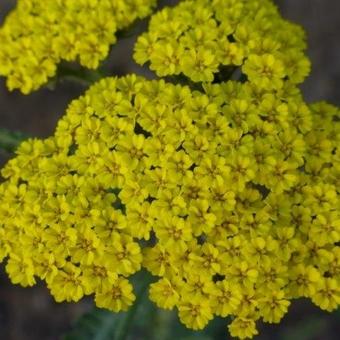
37,35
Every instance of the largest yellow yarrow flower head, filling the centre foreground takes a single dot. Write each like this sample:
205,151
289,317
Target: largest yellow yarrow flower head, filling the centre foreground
229,196
